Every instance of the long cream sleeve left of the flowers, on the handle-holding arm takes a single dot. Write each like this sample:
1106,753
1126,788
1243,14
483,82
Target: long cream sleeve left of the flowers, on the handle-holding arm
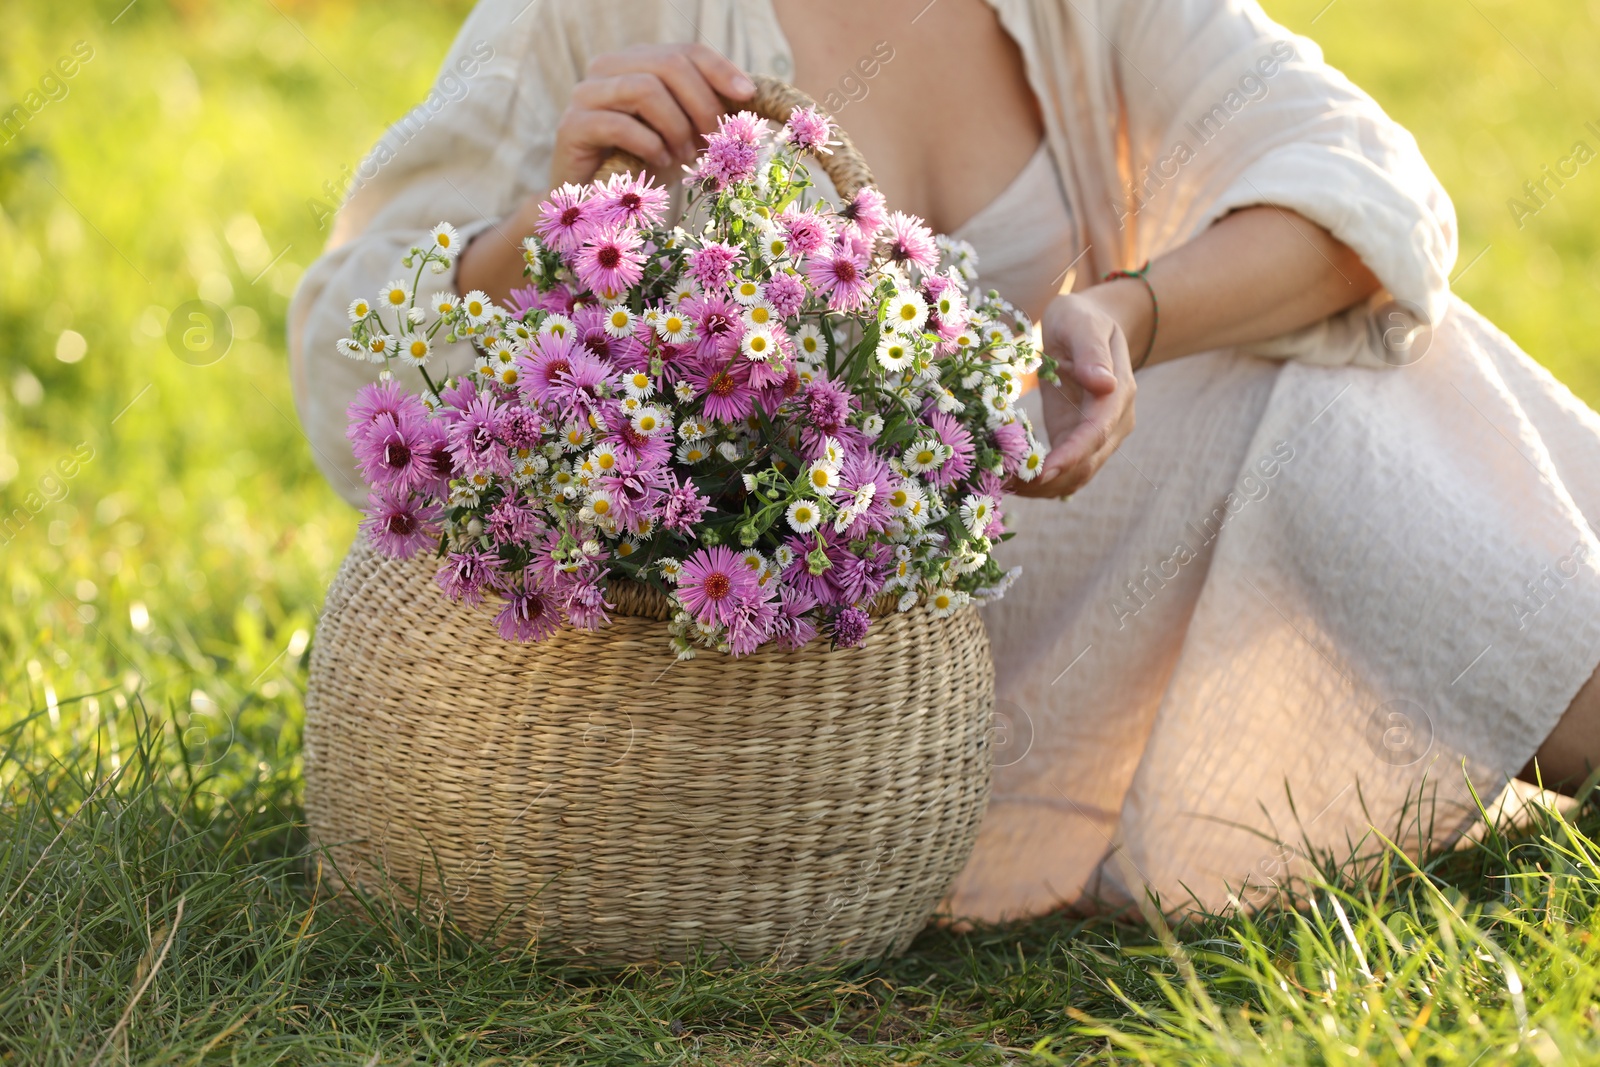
468,154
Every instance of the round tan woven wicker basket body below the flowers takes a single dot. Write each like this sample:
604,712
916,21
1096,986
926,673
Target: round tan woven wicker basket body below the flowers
596,794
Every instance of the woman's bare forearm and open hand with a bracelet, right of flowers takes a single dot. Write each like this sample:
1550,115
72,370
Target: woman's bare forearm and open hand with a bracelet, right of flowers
1257,274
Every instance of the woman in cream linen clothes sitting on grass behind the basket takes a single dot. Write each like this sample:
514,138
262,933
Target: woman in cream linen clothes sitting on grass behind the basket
1345,564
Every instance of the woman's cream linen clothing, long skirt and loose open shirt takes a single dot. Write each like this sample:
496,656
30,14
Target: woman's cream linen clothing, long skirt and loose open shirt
1326,578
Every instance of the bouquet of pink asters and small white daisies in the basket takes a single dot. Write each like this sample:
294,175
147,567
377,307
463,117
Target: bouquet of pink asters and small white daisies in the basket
775,417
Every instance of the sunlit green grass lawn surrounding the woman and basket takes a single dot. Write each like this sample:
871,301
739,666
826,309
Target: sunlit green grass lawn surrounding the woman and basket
159,604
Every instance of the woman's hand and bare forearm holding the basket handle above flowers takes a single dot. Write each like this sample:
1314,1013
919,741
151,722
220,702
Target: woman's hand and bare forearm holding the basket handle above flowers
649,100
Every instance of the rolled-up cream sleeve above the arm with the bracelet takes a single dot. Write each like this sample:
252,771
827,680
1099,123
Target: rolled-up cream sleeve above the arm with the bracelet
1226,110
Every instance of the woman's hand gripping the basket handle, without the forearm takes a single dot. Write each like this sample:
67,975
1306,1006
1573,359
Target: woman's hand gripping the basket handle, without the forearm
649,100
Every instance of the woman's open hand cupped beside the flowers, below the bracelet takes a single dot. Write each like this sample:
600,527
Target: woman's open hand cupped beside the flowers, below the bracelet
1090,412
